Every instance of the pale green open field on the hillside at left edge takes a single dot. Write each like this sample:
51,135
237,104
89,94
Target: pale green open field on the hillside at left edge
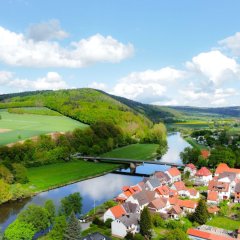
23,126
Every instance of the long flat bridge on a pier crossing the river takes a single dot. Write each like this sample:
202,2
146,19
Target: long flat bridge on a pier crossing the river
131,162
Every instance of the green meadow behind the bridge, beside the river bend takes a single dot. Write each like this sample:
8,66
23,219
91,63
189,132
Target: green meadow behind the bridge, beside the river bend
134,151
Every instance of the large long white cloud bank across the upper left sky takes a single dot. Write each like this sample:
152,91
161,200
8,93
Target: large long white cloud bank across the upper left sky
18,50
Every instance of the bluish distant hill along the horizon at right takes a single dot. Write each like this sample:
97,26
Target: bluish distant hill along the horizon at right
221,111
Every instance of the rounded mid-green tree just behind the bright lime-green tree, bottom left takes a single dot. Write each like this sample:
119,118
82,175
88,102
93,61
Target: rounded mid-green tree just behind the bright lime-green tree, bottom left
36,215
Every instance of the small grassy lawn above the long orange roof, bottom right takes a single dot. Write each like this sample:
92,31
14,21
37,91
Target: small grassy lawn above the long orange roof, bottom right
224,222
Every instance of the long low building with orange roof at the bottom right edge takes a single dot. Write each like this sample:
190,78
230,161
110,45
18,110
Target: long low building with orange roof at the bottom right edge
209,233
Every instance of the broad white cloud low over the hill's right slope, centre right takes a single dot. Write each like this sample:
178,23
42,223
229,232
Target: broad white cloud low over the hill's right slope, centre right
139,85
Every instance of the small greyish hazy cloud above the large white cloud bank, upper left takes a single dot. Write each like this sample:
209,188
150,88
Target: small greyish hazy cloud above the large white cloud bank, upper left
46,31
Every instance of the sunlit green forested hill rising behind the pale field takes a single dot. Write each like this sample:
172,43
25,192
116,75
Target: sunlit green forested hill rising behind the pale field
85,105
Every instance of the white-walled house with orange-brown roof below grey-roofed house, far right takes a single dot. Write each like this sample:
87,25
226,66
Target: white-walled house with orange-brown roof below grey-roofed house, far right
222,188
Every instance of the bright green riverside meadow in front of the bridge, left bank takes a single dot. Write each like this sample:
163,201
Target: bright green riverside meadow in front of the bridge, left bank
50,176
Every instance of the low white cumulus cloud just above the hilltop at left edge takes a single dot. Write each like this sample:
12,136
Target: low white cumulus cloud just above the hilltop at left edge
52,81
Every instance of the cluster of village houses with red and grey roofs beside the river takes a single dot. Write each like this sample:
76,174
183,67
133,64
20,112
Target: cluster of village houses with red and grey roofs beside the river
164,193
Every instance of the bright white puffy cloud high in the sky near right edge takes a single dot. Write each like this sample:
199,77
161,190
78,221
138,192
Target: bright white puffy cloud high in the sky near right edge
214,65
